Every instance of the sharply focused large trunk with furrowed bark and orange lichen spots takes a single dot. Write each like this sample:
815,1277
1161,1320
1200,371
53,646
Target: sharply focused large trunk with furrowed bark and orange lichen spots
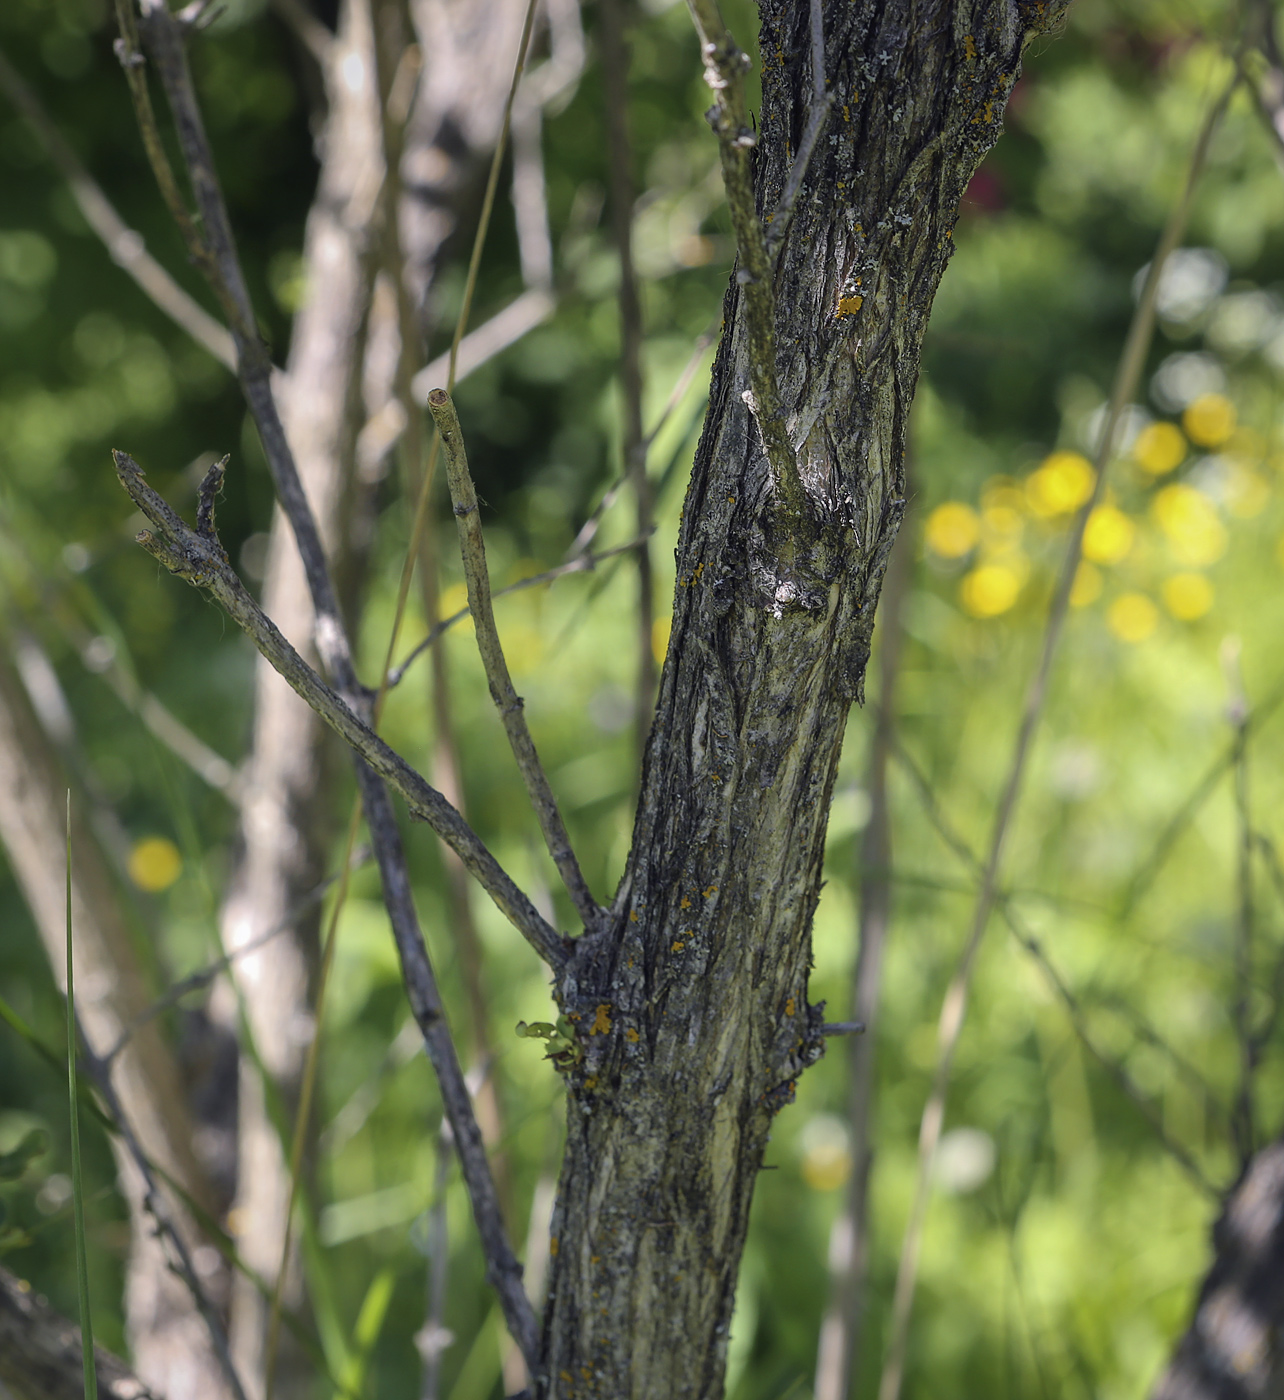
694,1011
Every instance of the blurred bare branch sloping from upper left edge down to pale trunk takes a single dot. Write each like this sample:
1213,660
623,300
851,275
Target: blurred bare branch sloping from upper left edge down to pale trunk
124,244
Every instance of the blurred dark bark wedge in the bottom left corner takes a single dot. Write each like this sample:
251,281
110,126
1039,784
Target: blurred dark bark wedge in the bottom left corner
40,1353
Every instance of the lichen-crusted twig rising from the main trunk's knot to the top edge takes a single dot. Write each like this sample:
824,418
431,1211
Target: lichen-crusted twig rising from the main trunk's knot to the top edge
726,65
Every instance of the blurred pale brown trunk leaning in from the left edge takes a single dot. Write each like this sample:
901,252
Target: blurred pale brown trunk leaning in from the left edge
172,1345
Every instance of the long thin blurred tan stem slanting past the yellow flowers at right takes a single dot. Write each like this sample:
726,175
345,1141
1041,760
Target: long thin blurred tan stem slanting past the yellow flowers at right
956,1004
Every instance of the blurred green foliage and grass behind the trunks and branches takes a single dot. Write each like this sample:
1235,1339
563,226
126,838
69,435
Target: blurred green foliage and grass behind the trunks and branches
1065,1261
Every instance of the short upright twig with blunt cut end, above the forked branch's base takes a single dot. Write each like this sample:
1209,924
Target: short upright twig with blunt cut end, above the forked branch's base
502,691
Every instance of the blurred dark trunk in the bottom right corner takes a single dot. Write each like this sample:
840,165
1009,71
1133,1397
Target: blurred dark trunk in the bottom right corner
1234,1349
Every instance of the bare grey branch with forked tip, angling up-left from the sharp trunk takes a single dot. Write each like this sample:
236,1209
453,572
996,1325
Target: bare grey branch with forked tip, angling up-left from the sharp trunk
201,561
